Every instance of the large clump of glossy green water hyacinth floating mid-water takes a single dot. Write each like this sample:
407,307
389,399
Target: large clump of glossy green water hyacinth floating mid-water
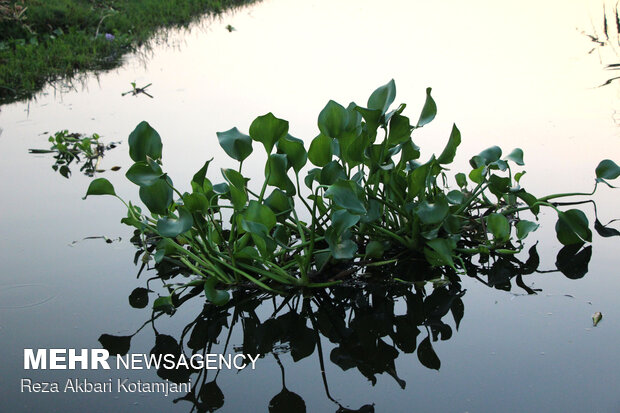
371,202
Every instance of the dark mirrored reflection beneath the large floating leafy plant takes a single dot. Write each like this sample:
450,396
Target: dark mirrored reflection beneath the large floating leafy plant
367,322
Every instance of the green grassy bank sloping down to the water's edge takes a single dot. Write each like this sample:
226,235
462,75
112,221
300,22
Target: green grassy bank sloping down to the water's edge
48,40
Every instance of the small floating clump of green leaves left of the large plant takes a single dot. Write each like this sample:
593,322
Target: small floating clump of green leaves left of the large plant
69,147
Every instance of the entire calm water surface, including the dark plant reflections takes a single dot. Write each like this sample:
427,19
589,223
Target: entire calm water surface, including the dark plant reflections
512,76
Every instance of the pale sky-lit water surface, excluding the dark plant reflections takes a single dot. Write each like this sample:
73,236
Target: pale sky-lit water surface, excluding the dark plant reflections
512,75
